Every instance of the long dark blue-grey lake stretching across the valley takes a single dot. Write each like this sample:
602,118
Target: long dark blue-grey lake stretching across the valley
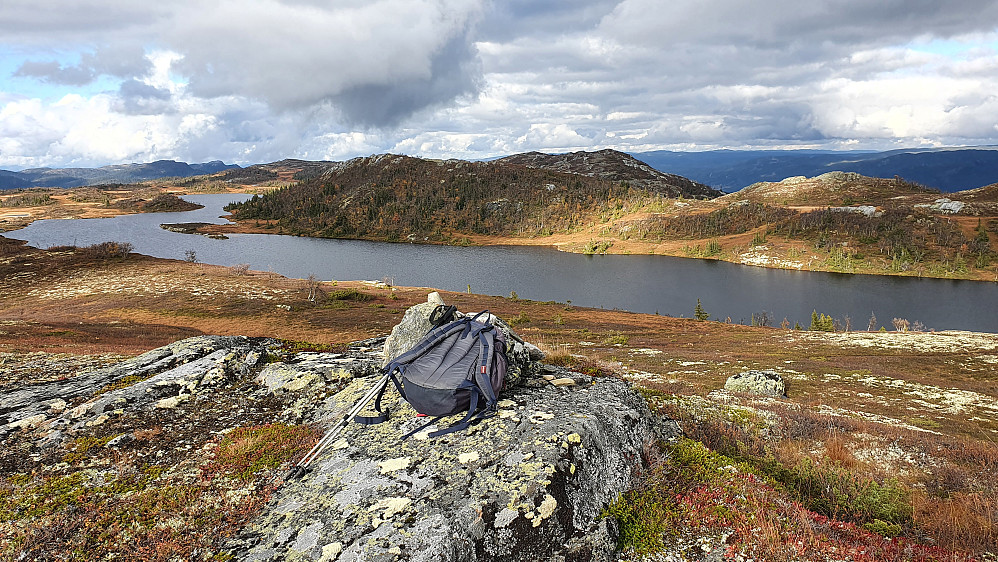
639,283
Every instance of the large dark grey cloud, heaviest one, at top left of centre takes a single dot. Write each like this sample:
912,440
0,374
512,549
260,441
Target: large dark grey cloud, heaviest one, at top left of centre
379,62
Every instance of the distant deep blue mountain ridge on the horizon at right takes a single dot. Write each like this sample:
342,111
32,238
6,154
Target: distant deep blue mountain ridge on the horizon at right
946,169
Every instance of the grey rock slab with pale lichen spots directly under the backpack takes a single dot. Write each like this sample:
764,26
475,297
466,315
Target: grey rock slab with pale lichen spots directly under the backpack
527,484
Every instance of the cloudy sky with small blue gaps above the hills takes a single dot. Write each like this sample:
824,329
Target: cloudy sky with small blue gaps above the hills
94,82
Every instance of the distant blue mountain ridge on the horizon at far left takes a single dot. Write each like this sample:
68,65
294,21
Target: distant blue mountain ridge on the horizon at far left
115,173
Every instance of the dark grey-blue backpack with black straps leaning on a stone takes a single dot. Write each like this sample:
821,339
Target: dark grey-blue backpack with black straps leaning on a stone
459,366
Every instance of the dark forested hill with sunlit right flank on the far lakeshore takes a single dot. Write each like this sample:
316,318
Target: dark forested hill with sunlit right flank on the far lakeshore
390,197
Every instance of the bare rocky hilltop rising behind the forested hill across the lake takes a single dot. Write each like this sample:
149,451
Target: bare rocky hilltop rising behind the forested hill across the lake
616,166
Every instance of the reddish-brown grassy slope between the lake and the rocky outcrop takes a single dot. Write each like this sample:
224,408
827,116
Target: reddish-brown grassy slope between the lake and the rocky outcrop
898,428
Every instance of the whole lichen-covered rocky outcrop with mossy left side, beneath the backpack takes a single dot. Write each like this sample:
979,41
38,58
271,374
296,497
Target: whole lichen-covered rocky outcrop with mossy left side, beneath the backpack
528,484
